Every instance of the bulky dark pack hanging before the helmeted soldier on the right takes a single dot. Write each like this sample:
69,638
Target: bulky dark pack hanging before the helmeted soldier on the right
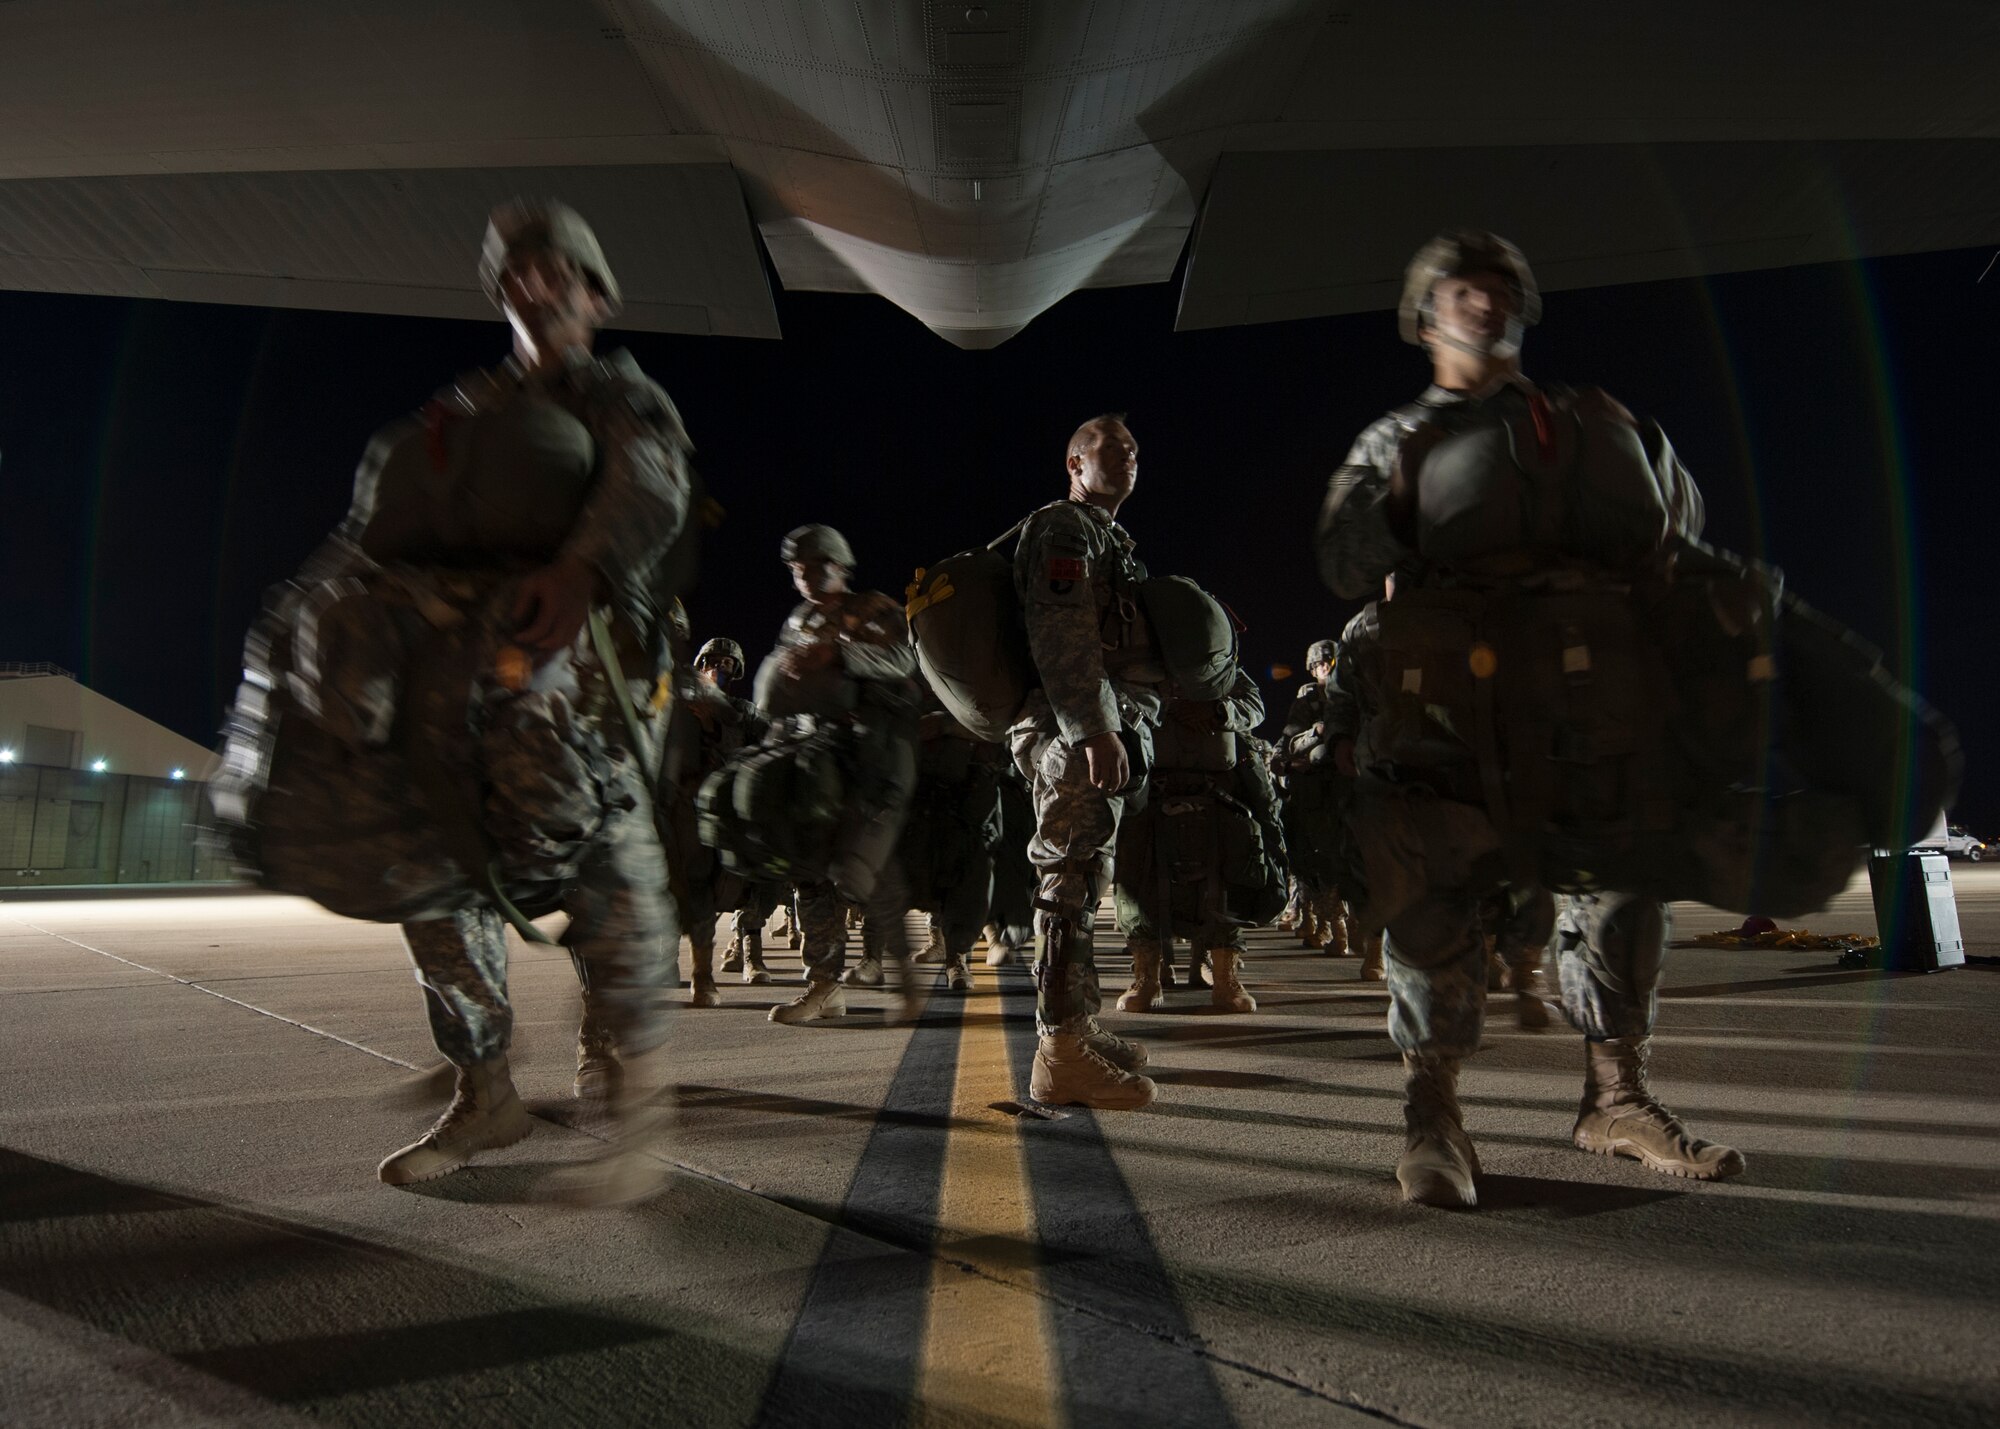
1701,738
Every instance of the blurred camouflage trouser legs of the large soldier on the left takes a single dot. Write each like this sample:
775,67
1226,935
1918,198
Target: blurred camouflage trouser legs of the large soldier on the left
621,938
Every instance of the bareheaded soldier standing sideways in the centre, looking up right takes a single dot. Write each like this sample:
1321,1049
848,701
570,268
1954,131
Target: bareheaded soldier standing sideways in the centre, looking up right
1083,742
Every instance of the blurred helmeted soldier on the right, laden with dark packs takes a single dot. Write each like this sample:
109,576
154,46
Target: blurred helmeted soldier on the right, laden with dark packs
1565,689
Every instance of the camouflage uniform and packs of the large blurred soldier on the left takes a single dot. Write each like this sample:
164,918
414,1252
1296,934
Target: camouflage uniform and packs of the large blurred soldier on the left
489,764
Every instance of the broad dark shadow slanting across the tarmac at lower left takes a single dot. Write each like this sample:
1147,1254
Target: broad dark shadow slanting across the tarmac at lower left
299,1316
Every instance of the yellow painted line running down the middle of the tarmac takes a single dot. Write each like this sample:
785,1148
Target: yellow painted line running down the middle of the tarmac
989,1352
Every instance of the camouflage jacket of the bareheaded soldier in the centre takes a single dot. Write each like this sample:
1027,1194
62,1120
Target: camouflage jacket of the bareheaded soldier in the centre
1073,571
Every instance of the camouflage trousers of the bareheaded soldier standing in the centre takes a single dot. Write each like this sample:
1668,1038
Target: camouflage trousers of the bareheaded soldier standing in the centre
1075,836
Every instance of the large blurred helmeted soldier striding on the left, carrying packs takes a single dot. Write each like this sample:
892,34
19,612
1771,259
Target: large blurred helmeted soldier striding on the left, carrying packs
467,736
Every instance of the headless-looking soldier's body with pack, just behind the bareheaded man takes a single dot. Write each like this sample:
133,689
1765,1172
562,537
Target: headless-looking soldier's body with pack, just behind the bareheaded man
1205,840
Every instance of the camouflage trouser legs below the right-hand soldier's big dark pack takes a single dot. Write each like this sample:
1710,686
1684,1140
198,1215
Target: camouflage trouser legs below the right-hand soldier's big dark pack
1609,956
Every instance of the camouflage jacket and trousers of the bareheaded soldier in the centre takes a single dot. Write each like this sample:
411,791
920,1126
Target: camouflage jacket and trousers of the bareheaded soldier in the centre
1073,573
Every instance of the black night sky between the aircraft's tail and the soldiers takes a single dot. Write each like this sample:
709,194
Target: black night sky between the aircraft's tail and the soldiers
163,463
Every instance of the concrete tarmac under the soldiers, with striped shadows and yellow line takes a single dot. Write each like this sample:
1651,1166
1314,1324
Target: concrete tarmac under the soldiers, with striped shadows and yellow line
865,1230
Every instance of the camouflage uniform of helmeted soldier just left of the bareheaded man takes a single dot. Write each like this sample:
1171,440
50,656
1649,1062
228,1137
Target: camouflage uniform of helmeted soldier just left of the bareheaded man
873,687
